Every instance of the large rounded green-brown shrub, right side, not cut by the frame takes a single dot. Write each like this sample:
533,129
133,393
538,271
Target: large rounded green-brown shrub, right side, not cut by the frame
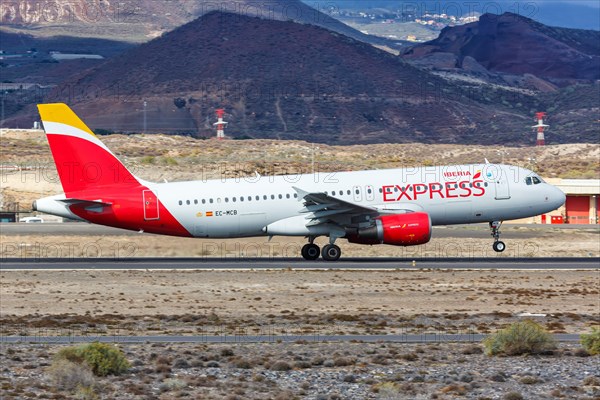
526,337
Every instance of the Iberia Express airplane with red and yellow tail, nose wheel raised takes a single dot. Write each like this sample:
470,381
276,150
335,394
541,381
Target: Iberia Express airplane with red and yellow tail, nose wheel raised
395,206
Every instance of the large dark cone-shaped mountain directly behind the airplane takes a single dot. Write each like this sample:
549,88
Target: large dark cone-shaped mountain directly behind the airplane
280,79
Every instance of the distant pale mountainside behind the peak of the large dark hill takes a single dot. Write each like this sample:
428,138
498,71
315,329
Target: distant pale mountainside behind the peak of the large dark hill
138,20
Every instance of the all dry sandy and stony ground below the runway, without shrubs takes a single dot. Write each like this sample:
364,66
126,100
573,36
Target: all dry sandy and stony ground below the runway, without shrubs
288,302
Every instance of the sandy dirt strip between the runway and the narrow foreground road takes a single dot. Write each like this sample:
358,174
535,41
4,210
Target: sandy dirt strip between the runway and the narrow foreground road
164,302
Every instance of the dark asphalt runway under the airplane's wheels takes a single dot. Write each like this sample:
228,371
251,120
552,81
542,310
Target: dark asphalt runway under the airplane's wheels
504,263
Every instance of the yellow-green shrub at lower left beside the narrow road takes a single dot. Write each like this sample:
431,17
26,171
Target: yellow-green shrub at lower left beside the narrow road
103,359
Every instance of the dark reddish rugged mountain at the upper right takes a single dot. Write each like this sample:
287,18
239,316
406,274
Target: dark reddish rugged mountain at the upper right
516,45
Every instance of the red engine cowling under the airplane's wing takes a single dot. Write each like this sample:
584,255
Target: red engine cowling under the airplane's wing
399,230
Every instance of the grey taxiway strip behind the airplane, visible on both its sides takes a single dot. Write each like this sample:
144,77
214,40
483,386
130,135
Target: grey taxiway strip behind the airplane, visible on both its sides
456,231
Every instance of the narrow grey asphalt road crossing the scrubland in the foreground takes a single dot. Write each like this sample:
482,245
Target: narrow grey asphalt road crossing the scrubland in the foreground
269,338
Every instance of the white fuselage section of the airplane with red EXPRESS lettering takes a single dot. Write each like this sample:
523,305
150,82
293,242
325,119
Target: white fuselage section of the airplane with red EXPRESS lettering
449,194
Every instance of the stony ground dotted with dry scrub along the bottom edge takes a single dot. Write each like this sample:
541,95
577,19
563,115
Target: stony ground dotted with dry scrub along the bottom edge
288,371
